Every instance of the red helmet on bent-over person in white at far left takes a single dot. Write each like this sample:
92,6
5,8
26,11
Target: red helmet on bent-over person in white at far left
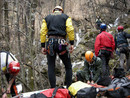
14,68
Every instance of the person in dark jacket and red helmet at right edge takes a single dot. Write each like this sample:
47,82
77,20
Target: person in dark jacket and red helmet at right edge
122,47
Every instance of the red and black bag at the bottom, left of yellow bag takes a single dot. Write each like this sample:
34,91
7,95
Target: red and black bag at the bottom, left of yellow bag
57,92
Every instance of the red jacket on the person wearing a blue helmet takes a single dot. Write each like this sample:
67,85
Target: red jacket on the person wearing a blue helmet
104,41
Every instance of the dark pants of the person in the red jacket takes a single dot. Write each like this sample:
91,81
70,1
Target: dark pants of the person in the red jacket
105,57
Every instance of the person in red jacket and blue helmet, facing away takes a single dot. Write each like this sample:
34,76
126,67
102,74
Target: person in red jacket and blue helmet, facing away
104,47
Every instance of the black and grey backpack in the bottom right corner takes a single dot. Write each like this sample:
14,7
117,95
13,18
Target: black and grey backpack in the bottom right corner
119,88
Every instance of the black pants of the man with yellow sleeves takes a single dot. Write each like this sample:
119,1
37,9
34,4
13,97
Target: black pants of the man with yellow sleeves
51,57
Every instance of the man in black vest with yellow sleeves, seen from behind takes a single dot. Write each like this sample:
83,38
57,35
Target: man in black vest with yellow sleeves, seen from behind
57,27
